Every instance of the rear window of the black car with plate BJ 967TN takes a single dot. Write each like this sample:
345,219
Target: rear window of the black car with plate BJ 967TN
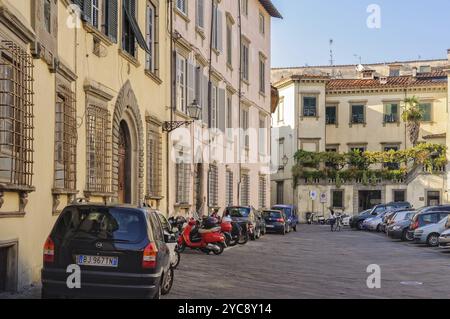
115,224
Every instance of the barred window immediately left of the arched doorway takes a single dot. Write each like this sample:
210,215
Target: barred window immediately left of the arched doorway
98,149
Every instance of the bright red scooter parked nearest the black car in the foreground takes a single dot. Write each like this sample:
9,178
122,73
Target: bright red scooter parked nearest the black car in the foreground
205,240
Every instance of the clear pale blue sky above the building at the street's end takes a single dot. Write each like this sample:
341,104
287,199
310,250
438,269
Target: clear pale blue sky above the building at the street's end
409,29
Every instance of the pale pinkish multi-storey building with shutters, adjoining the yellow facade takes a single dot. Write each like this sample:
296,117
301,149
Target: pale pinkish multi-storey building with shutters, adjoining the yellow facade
221,57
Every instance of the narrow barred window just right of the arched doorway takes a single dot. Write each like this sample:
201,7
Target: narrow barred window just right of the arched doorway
154,160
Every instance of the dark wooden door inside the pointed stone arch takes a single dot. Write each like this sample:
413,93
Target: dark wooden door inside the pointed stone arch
125,166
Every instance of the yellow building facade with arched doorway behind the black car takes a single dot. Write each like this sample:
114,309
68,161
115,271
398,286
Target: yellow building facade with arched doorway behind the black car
84,94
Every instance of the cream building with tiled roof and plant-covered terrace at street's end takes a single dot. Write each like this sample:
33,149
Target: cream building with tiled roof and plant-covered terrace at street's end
329,109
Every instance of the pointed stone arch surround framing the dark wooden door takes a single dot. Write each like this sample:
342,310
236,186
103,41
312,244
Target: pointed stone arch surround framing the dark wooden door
127,102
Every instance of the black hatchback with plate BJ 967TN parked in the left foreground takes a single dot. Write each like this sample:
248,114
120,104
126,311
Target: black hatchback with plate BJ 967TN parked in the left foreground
121,250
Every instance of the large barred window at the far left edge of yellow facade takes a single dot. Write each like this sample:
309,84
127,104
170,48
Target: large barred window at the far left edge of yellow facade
16,115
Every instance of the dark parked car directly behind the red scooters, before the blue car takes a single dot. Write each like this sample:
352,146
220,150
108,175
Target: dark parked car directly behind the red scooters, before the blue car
246,216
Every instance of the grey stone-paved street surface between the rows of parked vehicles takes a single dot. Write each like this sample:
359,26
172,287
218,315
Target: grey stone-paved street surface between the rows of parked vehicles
312,263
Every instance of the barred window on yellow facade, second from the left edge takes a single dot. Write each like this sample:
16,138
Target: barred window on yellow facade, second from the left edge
65,139
